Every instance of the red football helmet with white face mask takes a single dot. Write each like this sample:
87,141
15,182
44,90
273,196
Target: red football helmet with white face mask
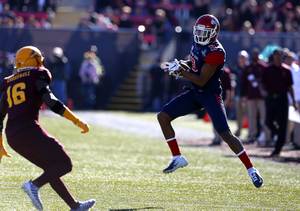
206,29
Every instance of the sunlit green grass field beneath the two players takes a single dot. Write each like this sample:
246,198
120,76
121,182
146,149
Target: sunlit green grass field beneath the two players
123,172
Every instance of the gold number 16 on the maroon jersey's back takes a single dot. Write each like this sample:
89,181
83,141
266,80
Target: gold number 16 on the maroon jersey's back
16,94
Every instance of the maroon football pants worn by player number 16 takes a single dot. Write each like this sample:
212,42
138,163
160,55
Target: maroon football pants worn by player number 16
34,144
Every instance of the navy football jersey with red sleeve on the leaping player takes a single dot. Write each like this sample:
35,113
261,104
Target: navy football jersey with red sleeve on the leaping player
212,53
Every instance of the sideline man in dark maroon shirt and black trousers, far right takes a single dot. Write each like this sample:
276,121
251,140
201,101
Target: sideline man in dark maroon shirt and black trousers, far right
277,98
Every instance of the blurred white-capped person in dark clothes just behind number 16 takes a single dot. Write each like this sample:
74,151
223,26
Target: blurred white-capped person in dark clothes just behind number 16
60,70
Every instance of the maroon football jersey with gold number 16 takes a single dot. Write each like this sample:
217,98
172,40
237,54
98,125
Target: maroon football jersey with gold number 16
22,98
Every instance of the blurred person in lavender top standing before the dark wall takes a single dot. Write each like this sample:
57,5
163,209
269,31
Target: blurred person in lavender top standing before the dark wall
90,73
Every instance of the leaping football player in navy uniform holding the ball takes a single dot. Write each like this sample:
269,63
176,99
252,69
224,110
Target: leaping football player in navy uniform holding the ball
203,69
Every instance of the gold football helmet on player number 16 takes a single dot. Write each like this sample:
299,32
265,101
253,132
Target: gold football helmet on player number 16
28,56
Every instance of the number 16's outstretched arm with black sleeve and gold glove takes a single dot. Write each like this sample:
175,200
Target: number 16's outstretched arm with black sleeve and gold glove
58,107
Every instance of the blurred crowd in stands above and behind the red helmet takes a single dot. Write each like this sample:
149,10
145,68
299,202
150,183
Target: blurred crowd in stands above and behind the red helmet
234,15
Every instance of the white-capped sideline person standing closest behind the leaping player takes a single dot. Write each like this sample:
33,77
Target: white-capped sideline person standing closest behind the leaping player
242,62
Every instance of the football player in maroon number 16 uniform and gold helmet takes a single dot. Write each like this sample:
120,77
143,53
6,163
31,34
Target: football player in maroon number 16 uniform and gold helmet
22,96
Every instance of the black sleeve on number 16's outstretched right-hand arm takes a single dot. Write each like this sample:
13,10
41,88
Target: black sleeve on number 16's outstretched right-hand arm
48,97
